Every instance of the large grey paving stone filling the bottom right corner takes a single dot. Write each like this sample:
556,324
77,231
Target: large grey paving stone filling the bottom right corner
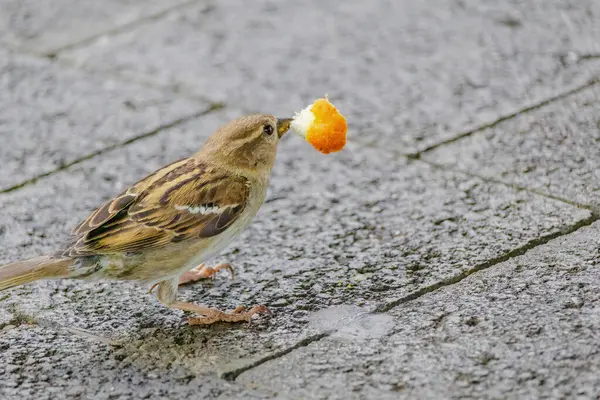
527,328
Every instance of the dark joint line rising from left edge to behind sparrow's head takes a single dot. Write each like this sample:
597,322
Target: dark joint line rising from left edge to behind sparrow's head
213,107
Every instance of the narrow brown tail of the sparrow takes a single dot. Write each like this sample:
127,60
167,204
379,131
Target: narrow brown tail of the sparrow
26,271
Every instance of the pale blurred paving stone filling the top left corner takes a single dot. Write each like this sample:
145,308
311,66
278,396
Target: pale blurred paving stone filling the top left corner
44,26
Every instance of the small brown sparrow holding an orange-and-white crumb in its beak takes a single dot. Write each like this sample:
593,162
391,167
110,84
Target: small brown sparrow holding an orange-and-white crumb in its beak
175,219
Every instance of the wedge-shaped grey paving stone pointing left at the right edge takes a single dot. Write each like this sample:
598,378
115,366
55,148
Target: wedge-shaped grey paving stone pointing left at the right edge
555,149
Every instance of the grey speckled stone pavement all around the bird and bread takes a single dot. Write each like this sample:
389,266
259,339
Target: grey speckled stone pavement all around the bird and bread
449,251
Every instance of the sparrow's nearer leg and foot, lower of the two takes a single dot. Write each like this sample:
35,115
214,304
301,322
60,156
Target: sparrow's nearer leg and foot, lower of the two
167,295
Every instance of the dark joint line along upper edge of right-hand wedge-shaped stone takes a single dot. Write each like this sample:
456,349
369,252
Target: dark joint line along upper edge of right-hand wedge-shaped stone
504,118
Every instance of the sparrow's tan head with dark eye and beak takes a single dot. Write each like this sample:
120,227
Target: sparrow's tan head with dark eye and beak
247,143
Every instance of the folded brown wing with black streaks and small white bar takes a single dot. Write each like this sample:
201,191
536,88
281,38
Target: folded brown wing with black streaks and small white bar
181,201
